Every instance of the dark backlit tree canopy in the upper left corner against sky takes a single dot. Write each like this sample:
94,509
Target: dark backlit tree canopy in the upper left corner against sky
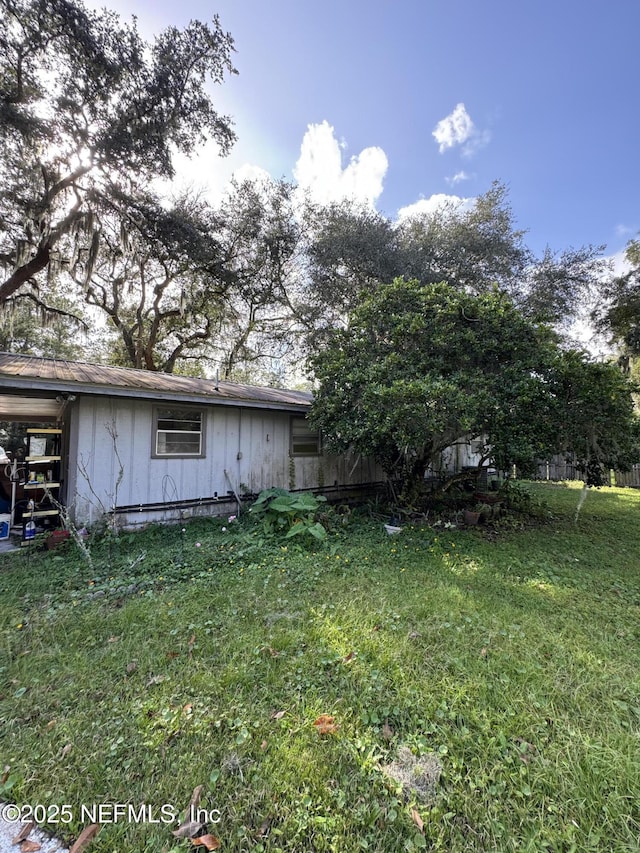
89,114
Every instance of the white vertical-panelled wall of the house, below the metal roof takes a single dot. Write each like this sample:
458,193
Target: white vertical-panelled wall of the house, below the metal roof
246,450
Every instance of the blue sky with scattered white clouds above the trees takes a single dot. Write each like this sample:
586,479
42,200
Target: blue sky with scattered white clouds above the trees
400,102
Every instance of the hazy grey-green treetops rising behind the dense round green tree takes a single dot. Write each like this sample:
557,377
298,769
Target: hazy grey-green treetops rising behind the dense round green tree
474,247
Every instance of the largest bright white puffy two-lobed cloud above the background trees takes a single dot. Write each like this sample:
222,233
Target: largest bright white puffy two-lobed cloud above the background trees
319,168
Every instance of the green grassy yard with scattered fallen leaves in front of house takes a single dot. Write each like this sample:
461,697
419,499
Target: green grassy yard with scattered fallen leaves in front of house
506,666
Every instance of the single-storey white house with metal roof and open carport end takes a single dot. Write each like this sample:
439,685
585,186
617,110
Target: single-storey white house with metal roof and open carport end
157,447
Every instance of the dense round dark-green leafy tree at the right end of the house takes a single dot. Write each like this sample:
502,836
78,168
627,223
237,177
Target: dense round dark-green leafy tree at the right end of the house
421,367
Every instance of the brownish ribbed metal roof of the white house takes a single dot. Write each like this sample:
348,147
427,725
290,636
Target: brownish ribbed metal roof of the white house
20,373
